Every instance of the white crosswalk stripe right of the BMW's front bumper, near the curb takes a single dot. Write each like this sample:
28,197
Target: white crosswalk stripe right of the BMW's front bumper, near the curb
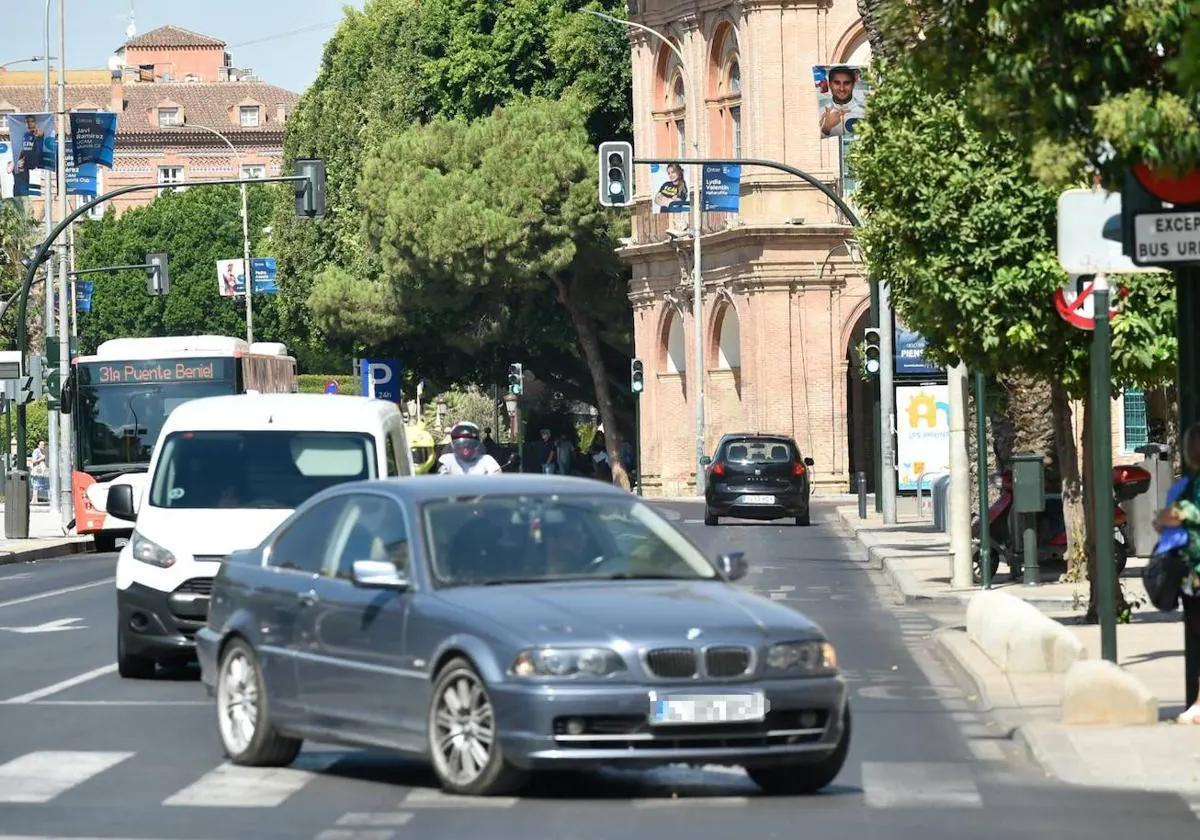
920,785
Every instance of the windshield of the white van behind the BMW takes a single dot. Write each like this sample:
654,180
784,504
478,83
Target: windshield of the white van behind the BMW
277,470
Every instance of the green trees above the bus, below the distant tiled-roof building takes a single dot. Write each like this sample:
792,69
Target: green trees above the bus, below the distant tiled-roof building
195,229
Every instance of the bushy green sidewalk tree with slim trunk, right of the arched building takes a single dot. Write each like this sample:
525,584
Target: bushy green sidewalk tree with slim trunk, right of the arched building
964,236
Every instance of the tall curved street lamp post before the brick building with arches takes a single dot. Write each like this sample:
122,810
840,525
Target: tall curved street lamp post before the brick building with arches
698,181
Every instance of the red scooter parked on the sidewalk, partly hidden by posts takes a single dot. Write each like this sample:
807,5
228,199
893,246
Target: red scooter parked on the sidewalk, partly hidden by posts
1129,482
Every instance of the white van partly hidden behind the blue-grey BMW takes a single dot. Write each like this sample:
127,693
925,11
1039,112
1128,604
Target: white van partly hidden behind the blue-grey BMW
225,473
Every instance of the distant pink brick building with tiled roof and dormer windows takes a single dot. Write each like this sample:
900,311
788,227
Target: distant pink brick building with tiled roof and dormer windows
160,85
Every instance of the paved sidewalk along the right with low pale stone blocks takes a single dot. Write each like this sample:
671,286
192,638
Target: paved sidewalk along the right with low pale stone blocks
1162,758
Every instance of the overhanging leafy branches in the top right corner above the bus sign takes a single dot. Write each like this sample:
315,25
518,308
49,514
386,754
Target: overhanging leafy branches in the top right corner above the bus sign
1071,83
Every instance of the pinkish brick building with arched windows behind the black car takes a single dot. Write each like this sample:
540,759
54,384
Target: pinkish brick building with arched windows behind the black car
785,297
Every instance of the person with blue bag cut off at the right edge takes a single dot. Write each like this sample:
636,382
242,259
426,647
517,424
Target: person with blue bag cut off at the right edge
1173,574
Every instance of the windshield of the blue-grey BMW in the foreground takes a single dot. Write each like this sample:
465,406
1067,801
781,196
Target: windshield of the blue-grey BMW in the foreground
489,541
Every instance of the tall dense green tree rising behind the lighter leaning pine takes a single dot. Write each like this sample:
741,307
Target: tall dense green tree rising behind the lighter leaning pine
400,63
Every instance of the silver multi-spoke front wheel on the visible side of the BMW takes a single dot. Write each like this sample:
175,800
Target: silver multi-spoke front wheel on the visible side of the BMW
464,736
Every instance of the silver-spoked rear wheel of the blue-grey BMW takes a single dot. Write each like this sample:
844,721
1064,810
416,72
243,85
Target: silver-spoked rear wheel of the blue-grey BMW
243,716
